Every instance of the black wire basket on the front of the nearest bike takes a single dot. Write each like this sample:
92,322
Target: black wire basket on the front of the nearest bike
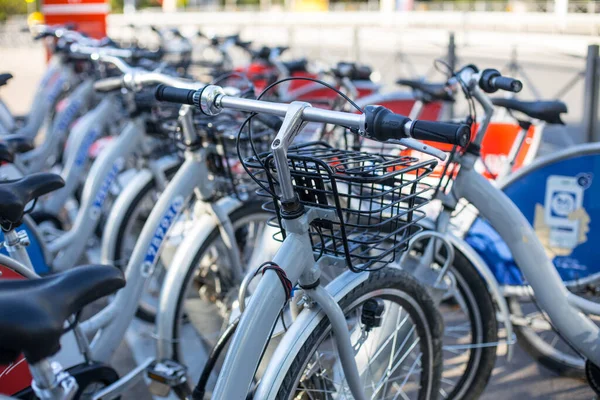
377,200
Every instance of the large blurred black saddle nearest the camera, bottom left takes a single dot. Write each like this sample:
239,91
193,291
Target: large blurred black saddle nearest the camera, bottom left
33,311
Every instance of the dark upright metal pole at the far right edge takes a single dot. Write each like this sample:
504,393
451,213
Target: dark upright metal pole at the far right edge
591,127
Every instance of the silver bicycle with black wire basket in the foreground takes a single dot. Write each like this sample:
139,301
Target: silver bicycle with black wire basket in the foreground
294,260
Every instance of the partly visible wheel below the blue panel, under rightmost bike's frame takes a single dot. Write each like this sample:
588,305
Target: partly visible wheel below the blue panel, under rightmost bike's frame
537,337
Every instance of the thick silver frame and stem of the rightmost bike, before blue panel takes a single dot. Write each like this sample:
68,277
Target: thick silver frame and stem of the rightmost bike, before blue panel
565,309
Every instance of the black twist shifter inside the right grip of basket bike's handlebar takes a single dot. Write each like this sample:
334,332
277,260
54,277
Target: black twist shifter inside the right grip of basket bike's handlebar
381,124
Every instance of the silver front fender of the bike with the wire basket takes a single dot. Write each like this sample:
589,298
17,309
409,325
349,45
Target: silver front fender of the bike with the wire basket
297,334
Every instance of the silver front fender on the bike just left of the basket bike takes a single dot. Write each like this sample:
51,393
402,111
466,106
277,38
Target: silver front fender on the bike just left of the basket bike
177,271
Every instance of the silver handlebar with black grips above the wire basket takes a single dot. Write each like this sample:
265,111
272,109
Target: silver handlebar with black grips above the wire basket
377,123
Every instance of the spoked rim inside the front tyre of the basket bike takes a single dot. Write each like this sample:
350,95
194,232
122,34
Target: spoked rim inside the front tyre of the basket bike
390,359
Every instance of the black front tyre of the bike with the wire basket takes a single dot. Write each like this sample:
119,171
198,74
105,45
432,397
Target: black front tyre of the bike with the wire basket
416,302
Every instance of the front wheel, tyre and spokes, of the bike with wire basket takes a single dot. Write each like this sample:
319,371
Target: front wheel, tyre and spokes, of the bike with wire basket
402,358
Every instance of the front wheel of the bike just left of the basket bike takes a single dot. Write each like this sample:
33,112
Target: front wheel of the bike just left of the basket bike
207,295
